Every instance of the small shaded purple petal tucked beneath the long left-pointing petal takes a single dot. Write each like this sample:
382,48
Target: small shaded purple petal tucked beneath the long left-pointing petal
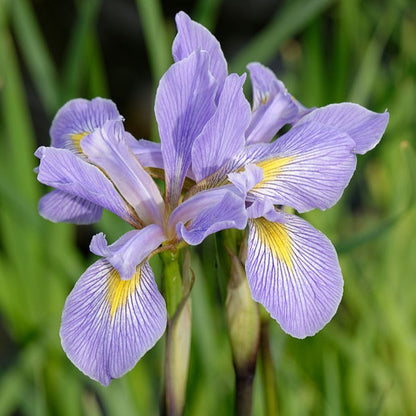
59,206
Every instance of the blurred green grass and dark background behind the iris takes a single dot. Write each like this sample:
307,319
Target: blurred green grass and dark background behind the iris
364,361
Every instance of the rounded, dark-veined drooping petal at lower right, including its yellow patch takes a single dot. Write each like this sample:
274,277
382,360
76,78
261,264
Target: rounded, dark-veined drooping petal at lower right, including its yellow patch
293,270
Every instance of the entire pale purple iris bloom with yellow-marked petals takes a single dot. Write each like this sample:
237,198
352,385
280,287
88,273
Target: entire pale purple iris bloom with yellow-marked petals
241,171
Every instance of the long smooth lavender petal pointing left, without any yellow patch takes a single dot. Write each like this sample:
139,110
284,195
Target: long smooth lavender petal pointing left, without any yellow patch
63,170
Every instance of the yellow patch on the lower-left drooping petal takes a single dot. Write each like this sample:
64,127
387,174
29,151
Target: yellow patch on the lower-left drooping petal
119,291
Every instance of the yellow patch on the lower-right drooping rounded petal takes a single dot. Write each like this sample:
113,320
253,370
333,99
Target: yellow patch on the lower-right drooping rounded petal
274,236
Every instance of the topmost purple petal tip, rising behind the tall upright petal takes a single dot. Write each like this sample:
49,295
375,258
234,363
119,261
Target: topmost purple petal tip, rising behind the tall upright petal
191,37
